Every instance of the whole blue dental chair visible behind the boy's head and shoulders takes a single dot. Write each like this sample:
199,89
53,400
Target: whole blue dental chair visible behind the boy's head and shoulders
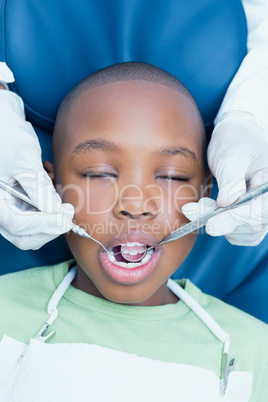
51,45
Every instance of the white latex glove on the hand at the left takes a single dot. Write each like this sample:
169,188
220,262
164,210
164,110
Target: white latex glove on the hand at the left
20,161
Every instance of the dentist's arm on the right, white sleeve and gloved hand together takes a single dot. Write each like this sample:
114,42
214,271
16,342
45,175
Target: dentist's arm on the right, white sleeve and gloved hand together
238,150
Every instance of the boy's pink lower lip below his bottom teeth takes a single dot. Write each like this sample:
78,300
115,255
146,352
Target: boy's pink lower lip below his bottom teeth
128,276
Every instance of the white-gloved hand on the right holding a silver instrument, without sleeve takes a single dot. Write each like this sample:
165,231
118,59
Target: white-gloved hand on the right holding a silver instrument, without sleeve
238,159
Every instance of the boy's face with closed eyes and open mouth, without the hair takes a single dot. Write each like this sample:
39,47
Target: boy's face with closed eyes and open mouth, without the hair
130,157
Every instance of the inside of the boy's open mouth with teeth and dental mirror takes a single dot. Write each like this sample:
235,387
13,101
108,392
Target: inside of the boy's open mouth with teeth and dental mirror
130,255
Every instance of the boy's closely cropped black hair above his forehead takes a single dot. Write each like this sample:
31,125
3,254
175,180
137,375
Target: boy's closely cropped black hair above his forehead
128,71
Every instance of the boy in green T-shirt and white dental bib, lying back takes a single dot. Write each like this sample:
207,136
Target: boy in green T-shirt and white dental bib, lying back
129,152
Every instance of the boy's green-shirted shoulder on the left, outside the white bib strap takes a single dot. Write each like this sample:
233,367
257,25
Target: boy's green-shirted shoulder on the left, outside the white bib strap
24,296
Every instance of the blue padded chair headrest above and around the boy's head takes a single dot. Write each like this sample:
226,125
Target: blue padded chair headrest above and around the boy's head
51,45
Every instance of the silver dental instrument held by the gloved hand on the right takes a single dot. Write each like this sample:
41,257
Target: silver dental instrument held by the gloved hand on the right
197,224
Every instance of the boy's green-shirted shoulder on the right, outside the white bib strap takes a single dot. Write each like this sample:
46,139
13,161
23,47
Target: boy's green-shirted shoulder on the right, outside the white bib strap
248,335
